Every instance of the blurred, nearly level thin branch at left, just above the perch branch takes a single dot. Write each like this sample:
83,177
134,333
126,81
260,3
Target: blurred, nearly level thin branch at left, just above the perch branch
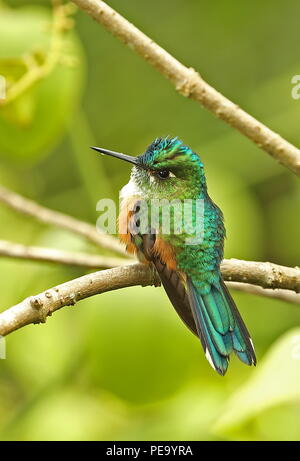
51,255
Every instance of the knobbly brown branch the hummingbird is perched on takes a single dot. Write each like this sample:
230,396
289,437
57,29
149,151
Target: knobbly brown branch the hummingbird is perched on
35,309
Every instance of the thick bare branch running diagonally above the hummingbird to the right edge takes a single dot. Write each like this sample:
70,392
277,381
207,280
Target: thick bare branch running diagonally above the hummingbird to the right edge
190,84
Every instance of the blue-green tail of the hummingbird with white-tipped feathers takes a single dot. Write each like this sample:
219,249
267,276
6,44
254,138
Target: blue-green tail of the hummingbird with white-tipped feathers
220,326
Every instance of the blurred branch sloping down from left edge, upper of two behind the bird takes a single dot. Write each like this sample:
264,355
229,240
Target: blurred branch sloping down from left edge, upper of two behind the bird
45,215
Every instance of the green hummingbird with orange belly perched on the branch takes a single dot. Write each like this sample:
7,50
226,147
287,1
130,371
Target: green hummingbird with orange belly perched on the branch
189,273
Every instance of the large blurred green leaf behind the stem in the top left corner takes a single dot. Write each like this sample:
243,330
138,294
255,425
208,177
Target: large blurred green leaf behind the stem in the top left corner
36,121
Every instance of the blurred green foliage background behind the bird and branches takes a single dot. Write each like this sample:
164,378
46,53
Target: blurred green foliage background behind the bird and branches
121,366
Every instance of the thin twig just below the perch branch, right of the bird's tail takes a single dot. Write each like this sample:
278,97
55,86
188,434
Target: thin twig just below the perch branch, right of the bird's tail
283,295
